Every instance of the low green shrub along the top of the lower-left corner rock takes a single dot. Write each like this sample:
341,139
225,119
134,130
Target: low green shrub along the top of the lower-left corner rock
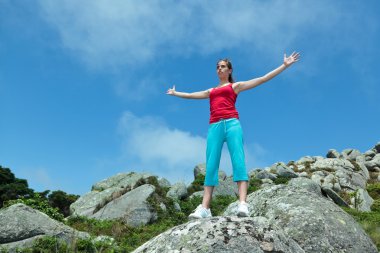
40,204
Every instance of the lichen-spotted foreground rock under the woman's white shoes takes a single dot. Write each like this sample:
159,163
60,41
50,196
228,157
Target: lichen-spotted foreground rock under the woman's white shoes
222,235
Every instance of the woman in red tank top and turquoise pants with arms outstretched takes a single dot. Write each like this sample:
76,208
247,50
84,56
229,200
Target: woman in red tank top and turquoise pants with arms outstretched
225,127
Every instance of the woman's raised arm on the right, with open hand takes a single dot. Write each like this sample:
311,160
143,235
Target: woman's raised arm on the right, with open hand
246,85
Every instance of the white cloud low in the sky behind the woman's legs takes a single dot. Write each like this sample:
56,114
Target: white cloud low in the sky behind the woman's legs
149,144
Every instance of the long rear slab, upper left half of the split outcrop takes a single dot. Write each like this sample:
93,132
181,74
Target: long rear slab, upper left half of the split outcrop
105,191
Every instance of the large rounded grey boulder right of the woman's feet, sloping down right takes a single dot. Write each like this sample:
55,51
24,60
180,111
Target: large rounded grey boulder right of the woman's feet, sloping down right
313,221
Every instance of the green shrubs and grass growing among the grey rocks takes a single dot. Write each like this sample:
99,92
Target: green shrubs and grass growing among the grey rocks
126,238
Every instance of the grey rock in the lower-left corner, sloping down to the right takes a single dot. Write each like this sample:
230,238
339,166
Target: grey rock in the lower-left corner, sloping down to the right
21,225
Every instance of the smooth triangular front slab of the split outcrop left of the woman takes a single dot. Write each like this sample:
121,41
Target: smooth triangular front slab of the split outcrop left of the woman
132,208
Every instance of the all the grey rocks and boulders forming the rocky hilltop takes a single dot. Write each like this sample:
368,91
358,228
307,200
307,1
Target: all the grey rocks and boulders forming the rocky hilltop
295,208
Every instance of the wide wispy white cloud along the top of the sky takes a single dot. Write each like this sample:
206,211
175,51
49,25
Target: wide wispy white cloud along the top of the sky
104,33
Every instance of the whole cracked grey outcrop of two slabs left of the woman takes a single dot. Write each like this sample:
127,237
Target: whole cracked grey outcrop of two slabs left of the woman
121,197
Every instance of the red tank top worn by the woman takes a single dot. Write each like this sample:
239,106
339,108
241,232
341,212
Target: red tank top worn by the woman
222,103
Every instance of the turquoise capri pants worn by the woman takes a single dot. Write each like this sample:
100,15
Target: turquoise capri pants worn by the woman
230,131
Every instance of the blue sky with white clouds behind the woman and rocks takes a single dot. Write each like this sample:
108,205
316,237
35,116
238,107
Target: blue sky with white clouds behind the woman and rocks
83,83
